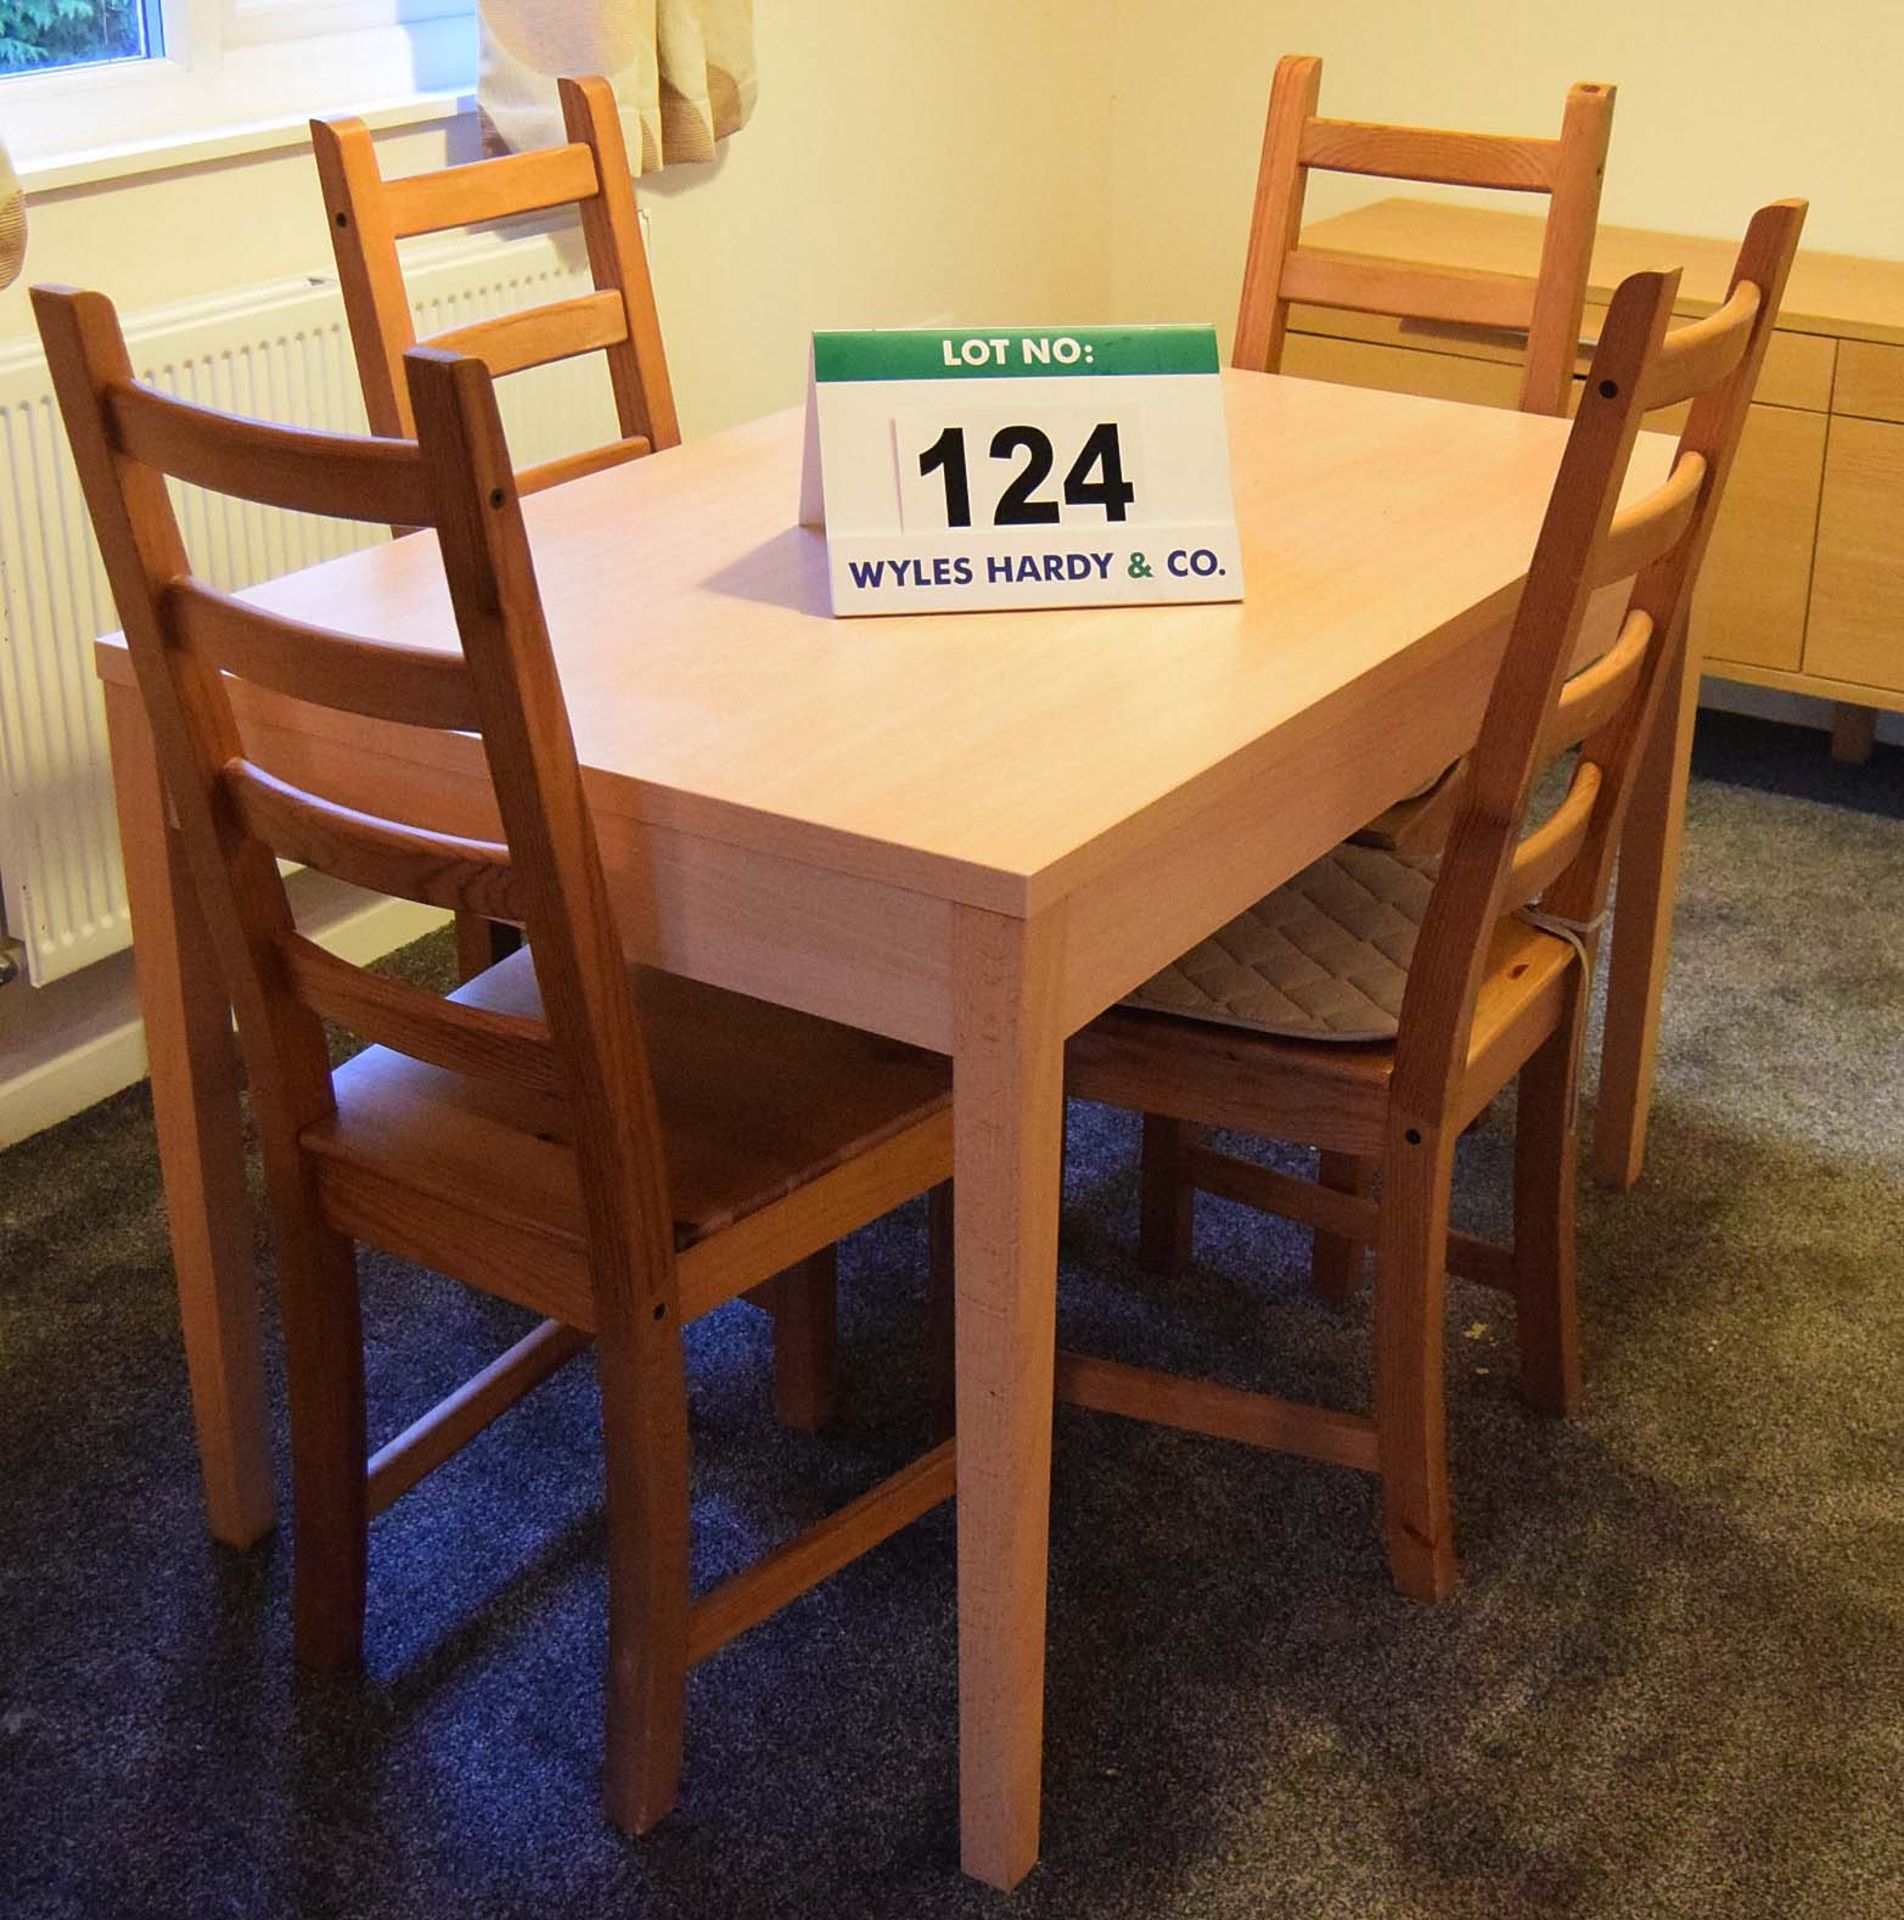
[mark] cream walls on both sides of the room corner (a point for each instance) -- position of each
(1085, 158)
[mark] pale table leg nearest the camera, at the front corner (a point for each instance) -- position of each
(1009, 1157)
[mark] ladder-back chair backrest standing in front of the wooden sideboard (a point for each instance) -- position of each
(1544, 308)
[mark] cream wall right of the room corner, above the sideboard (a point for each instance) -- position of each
(1723, 107)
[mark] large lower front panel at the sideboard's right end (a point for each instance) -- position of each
(1857, 625)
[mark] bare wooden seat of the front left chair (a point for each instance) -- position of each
(755, 1103)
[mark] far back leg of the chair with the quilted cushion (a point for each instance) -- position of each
(1548, 1322)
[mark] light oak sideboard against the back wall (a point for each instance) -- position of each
(1805, 583)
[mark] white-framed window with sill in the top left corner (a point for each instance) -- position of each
(87, 78)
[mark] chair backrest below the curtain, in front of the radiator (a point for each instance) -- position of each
(369, 216)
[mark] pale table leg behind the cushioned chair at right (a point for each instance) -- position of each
(1642, 932)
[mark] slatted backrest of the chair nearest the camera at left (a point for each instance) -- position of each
(581, 1072)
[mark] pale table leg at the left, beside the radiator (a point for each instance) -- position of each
(195, 1101)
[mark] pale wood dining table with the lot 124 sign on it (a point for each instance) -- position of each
(972, 832)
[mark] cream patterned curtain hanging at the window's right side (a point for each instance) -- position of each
(682, 70)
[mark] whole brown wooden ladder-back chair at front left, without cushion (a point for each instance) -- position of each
(609, 1147)
